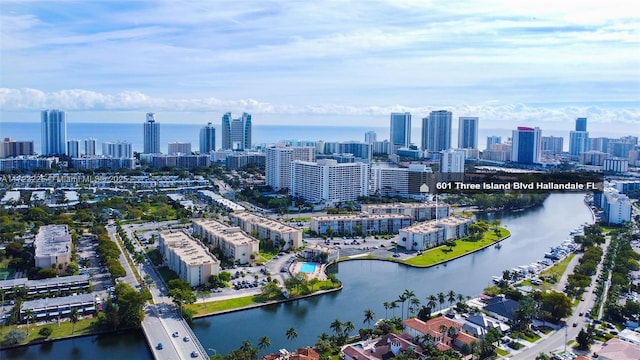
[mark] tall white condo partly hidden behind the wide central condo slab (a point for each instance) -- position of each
(278, 164)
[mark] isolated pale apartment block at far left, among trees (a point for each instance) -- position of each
(52, 245)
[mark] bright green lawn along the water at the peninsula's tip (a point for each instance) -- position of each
(463, 247)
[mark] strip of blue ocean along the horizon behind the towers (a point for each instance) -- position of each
(261, 134)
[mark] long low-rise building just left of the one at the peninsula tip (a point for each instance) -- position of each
(362, 224)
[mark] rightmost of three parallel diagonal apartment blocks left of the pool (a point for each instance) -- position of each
(282, 236)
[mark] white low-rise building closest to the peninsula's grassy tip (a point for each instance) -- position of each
(428, 234)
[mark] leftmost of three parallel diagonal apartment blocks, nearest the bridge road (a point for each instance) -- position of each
(185, 255)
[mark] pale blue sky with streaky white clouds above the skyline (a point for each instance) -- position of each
(341, 62)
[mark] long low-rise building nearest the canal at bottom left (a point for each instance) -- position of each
(57, 307)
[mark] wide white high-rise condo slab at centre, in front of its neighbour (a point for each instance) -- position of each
(327, 181)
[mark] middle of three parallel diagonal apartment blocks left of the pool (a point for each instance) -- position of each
(231, 241)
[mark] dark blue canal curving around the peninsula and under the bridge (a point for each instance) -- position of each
(367, 285)
